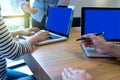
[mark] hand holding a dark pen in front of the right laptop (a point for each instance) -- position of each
(97, 42)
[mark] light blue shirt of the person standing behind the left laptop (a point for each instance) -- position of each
(41, 8)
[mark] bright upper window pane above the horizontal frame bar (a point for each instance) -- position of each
(10, 8)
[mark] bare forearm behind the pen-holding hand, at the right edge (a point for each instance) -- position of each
(113, 50)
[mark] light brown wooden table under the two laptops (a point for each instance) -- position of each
(48, 61)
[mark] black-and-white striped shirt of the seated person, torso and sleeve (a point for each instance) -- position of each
(9, 48)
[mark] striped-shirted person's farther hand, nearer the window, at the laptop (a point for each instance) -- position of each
(30, 31)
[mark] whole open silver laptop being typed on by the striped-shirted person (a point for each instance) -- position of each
(59, 22)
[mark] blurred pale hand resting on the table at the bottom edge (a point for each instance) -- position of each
(75, 74)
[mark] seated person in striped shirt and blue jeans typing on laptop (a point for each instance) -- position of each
(11, 49)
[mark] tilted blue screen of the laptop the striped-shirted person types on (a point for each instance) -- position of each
(59, 20)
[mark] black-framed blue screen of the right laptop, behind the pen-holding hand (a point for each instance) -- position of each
(105, 20)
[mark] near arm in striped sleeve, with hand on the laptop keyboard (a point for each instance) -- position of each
(13, 49)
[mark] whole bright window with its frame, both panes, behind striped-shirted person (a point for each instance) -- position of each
(14, 17)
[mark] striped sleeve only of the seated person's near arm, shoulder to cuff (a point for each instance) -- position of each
(8, 46)
